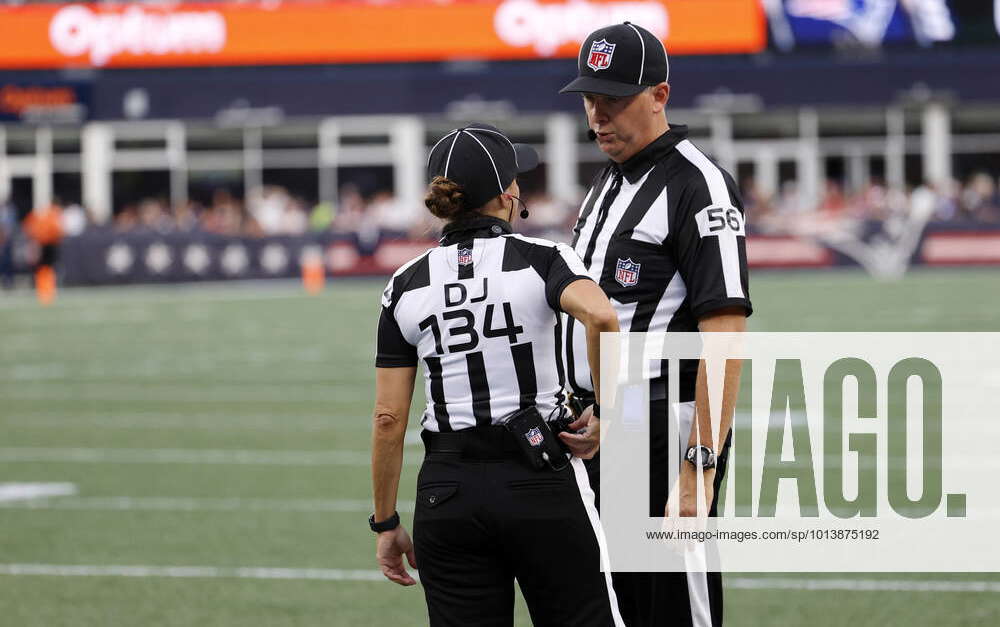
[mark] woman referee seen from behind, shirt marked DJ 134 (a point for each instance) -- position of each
(499, 497)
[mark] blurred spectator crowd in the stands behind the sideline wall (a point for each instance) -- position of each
(274, 210)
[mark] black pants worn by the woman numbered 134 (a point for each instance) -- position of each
(482, 523)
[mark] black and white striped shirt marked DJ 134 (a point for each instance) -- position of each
(481, 312)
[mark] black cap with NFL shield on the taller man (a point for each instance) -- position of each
(620, 60)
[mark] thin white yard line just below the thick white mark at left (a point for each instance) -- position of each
(195, 504)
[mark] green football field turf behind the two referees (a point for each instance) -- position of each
(206, 453)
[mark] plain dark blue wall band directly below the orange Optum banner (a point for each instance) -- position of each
(532, 86)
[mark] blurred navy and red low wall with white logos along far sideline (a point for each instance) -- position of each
(101, 257)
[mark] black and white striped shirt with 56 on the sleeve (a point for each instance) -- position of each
(664, 236)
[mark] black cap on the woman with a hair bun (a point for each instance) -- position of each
(481, 159)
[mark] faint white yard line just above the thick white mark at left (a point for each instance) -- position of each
(189, 456)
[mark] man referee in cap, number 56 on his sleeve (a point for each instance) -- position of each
(662, 231)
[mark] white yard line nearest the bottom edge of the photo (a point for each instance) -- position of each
(336, 574)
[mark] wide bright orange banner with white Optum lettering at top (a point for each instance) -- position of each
(142, 35)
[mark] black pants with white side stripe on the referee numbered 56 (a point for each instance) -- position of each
(675, 599)
